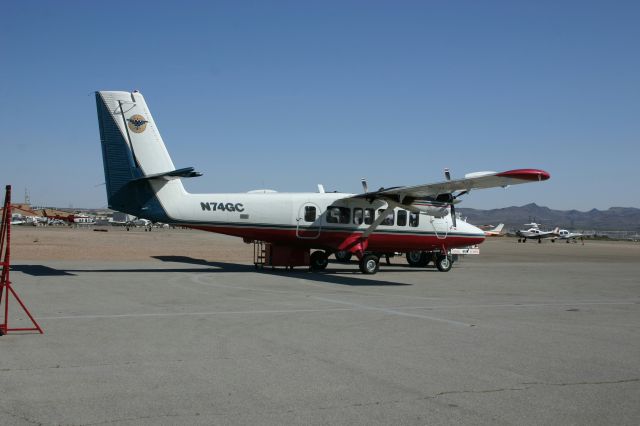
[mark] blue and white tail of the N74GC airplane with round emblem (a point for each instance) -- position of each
(137, 165)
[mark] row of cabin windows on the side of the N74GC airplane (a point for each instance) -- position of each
(360, 216)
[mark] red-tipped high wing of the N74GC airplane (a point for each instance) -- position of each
(478, 180)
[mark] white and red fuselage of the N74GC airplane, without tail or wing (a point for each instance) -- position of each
(329, 221)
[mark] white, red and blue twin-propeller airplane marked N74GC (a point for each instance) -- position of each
(141, 180)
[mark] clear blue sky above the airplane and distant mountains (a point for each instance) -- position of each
(287, 95)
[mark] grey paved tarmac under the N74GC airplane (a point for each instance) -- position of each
(500, 339)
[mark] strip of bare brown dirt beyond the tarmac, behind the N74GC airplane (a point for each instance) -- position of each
(118, 244)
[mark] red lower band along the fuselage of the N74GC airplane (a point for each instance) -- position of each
(332, 240)
